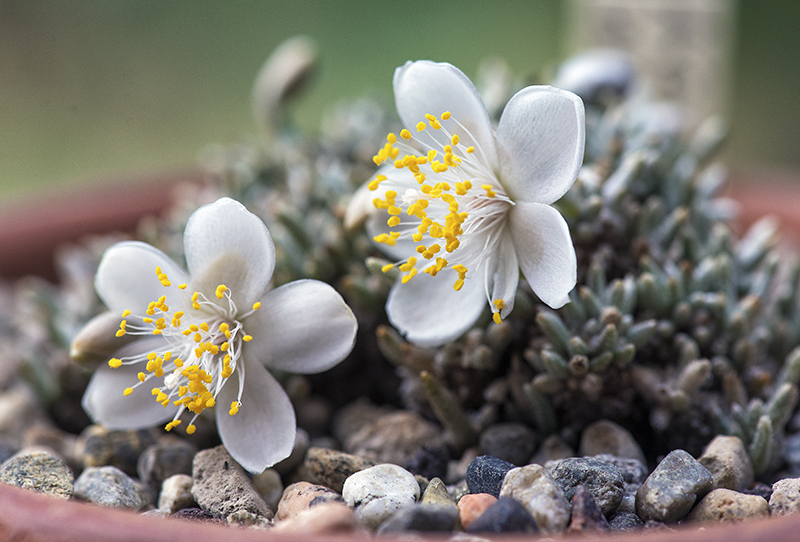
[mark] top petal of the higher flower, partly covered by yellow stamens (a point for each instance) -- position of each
(426, 87)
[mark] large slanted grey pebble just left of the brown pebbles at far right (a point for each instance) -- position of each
(672, 488)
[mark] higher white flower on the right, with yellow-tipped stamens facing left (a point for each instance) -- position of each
(471, 202)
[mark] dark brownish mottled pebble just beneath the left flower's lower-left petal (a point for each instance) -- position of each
(98, 446)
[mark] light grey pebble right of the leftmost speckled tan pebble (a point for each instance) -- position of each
(109, 486)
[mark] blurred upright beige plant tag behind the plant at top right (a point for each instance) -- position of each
(680, 48)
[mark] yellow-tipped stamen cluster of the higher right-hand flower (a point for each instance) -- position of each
(459, 207)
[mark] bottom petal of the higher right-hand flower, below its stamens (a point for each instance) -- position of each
(429, 312)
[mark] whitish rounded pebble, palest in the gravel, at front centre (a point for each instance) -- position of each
(378, 492)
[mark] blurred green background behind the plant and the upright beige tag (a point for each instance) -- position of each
(96, 89)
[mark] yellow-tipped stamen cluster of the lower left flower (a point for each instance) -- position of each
(203, 350)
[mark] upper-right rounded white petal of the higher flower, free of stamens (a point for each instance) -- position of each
(540, 141)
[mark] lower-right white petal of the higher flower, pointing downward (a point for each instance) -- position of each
(544, 248)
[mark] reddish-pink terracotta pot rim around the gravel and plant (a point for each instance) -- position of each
(28, 237)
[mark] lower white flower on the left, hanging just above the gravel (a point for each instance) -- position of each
(202, 338)
